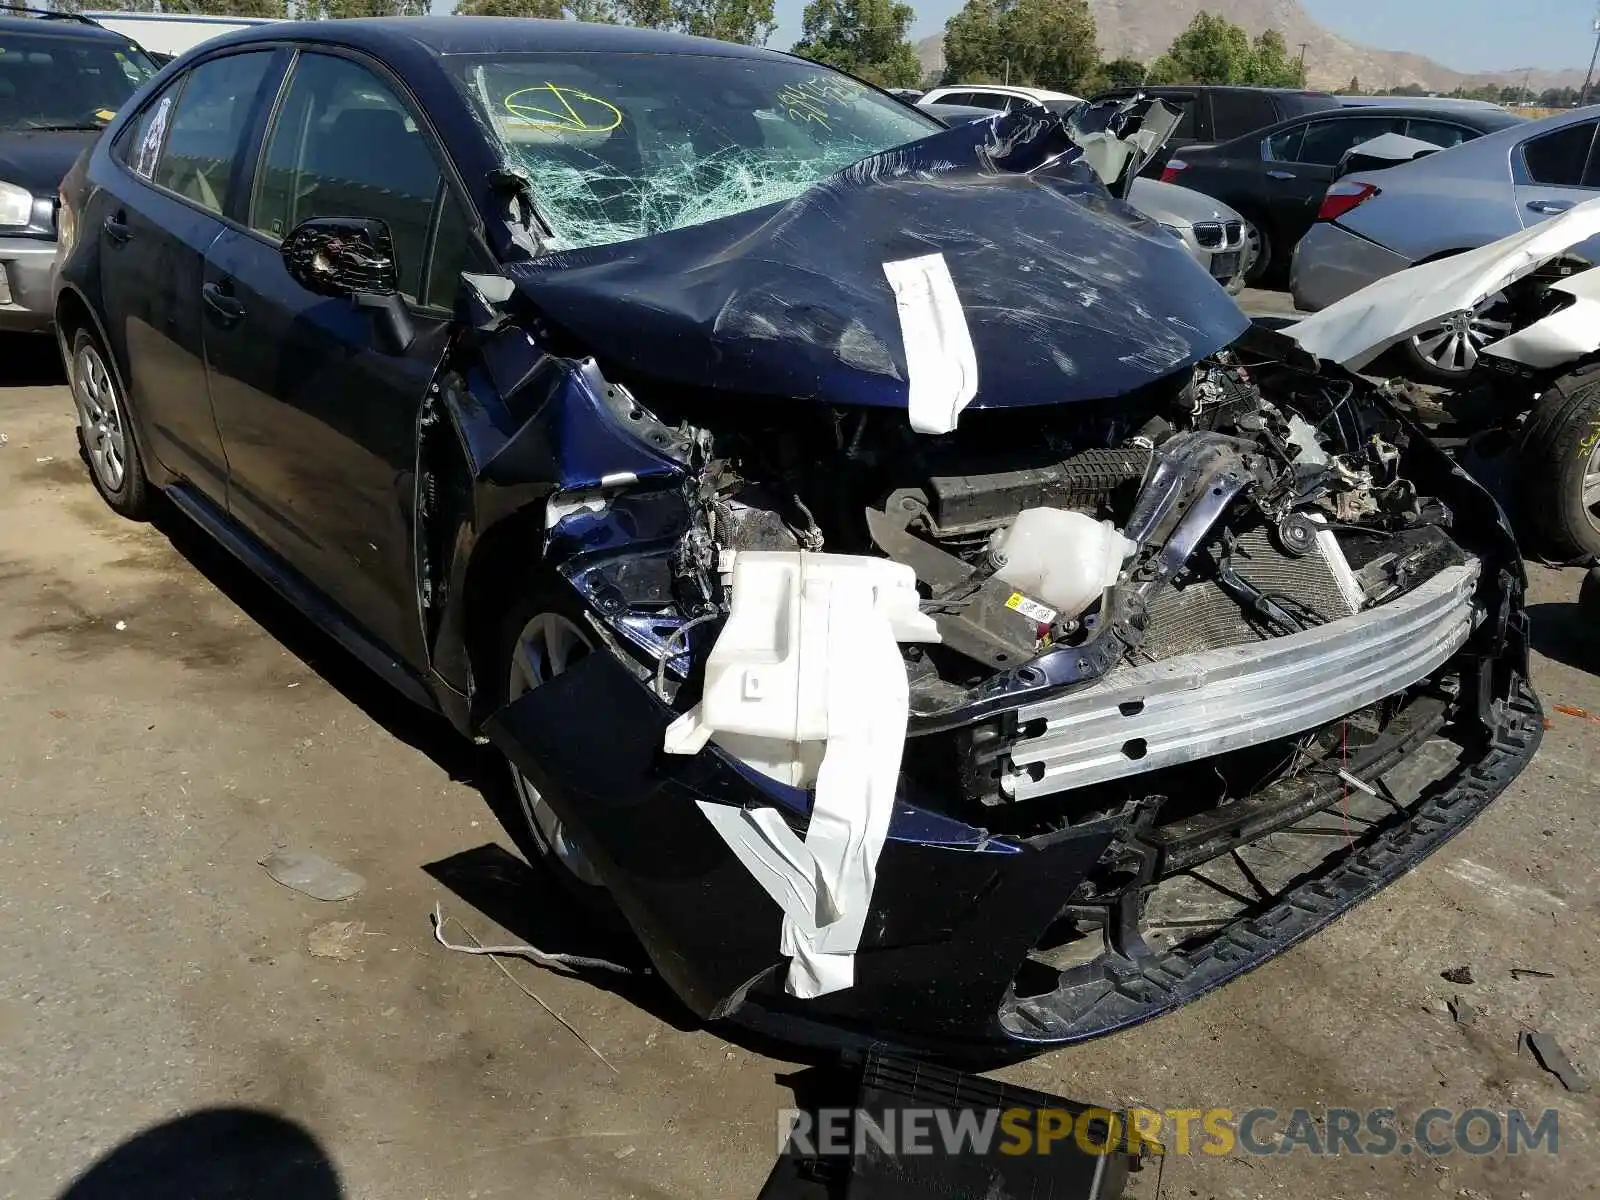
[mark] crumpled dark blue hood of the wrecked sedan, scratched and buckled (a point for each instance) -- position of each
(1066, 294)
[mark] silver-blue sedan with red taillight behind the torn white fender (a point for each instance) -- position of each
(1377, 223)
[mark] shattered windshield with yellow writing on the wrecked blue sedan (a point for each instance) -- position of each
(625, 146)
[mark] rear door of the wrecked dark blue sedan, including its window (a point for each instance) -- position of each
(161, 207)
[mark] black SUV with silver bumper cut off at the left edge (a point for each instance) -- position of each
(62, 79)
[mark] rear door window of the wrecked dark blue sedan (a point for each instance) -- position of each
(207, 129)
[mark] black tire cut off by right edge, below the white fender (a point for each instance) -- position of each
(1559, 468)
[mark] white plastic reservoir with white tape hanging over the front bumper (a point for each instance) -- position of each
(807, 686)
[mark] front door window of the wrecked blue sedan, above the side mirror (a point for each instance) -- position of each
(345, 145)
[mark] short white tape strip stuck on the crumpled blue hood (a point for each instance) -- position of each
(942, 366)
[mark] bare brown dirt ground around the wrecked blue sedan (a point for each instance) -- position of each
(166, 724)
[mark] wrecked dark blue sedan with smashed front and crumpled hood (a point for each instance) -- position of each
(902, 583)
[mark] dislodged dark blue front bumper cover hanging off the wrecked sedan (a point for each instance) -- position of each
(950, 959)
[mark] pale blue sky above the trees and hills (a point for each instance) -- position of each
(1463, 34)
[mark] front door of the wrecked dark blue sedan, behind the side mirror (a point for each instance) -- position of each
(318, 420)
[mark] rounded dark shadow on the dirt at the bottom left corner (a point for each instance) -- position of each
(214, 1154)
